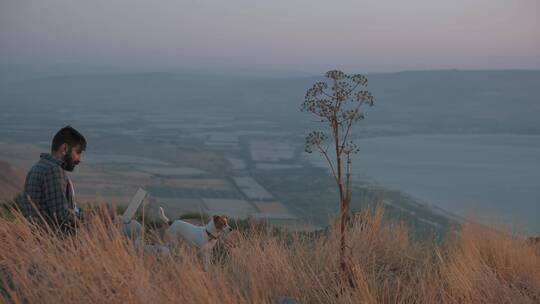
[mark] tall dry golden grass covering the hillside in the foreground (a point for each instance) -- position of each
(99, 265)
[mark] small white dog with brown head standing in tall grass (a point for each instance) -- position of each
(204, 237)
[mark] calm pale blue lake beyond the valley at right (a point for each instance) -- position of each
(491, 177)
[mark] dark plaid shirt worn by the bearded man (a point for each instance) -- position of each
(50, 189)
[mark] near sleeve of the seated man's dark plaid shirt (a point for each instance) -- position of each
(56, 202)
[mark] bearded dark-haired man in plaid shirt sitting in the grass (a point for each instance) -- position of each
(47, 189)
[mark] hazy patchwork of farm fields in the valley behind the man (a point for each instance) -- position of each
(206, 164)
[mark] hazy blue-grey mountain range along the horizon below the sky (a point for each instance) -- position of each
(421, 101)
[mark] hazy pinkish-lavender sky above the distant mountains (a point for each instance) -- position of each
(308, 35)
